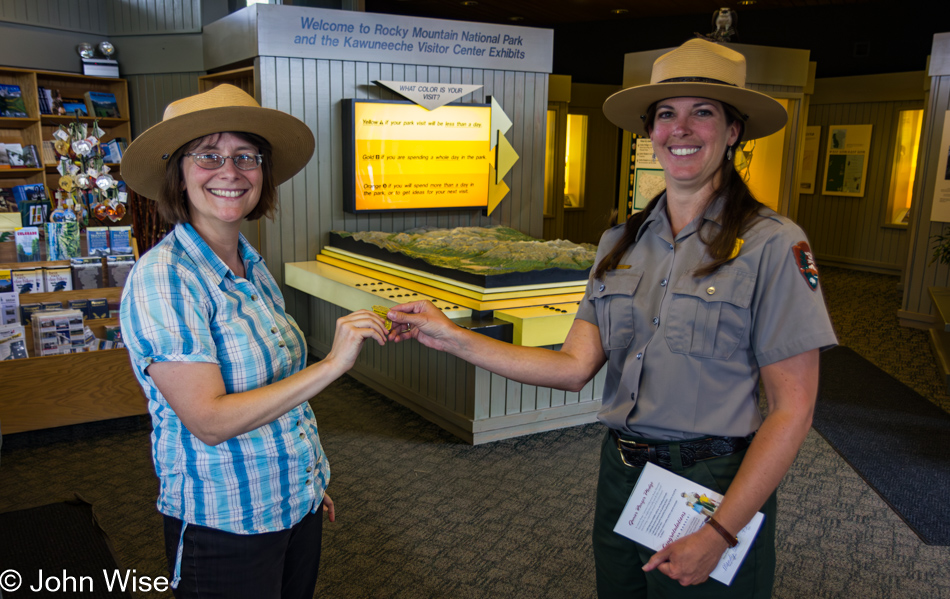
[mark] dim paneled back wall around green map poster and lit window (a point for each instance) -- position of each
(853, 232)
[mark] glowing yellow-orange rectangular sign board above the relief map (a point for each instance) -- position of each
(400, 156)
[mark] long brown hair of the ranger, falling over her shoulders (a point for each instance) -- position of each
(739, 209)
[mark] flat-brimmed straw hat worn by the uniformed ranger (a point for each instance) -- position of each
(699, 69)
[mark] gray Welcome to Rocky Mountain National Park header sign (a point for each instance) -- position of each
(351, 35)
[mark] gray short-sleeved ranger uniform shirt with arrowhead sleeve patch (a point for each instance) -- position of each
(683, 352)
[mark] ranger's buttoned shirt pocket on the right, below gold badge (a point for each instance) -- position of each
(709, 317)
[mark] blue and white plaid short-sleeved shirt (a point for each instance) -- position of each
(181, 303)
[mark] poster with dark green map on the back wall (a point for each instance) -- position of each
(846, 160)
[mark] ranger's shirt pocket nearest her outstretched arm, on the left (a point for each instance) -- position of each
(613, 304)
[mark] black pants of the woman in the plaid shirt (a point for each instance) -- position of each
(218, 564)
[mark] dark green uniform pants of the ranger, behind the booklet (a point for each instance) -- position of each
(619, 560)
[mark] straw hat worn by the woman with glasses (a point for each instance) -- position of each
(224, 108)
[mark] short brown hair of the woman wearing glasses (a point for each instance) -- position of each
(173, 203)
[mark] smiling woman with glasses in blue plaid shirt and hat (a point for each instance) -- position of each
(242, 473)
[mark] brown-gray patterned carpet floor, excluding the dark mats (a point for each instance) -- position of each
(423, 515)
